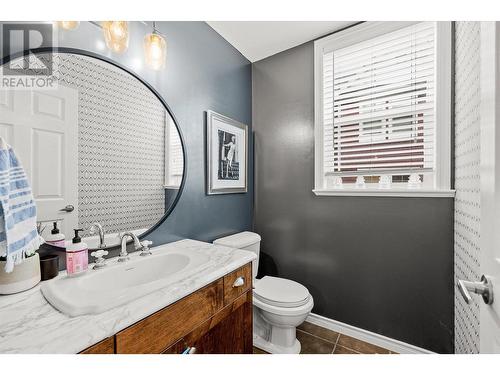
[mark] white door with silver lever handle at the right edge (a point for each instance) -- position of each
(490, 183)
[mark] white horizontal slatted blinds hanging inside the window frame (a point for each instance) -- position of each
(378, 105)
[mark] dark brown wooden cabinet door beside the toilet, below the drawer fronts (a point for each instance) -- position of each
(227, 332)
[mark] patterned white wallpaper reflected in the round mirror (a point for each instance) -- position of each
(121, 152)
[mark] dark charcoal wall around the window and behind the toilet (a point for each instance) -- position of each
(382, 264)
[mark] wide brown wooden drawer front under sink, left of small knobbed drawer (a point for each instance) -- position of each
(160, 330)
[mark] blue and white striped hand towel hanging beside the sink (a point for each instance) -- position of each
(18, 233)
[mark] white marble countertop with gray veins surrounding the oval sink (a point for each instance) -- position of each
(29, 324)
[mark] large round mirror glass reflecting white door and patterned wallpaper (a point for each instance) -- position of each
(99, 145)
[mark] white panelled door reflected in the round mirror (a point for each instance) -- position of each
(42, 128)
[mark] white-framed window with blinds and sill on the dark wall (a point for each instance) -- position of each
(383, 110)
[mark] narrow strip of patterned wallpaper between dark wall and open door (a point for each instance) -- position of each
(467, 180)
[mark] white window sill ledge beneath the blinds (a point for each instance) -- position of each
(420, 193)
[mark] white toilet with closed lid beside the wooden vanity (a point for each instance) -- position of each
(279, 305)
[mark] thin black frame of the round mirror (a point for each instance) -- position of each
(4, 60)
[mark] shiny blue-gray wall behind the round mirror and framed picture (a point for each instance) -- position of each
(203, 72)
